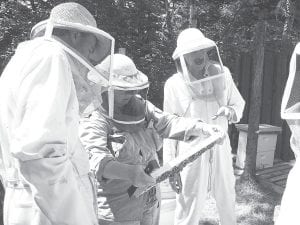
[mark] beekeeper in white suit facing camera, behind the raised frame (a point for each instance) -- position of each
(202, 88)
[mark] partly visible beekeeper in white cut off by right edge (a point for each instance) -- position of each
(290, 111)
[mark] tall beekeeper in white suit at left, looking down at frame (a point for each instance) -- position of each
(46, 168)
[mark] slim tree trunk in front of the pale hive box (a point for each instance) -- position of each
(255, 102)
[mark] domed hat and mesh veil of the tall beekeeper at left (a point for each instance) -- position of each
(74, 17)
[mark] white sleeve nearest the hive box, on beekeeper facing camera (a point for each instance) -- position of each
(234, 98)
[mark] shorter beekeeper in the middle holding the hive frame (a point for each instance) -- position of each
(122, 137)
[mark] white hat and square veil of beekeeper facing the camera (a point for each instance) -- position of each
(197, 59)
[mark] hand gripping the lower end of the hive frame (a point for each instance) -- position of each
(139, 178)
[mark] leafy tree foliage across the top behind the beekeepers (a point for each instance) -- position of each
(148, 28)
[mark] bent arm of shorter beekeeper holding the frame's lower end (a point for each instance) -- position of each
(94, 131)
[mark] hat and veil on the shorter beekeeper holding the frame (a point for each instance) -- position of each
(124, 100)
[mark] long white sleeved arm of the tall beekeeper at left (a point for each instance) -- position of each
(40, 140)
